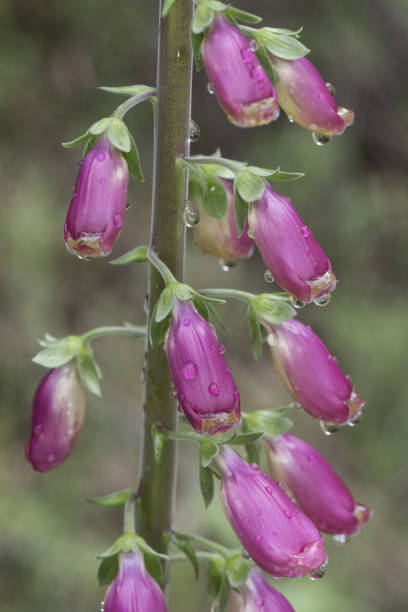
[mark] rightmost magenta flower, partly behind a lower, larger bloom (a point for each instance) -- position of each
(315, 485)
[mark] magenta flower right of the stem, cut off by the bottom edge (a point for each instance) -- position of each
(256, 595)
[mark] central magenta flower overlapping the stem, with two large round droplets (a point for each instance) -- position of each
(202, 379)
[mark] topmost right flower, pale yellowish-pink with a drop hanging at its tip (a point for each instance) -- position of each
(306, 99)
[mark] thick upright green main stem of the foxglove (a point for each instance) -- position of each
(158, 480)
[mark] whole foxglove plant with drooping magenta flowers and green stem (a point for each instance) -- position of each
(184, 360)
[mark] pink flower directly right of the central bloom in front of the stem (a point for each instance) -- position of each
(311, 374)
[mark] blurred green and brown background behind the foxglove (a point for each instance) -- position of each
(52, 57)
